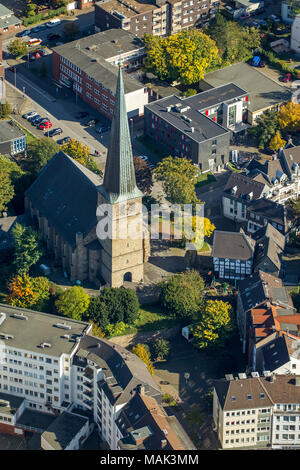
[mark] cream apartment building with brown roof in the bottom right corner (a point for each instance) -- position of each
(257, 411)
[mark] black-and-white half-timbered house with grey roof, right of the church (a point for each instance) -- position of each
(232, 254)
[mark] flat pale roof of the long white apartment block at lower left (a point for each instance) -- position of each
(37, 328)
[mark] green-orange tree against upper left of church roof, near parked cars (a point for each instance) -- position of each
(40, 151)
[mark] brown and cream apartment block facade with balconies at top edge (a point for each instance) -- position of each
(159, 18)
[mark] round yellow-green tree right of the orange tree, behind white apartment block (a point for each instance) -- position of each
(73, 303)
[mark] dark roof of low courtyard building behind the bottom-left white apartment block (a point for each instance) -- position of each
(65, 427)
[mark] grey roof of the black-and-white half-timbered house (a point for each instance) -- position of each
(232, 245)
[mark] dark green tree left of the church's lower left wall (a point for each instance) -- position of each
(27, 248)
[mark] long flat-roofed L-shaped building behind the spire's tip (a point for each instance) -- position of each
(89, 67)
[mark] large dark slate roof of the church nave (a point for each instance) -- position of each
(65, 193)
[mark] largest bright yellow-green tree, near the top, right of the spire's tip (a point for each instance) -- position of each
(184, 56)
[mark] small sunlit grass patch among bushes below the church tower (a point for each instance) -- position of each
(151, 318)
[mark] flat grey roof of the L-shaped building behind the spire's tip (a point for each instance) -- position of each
(90, 55)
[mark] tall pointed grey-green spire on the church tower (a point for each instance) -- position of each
(119, 179)
